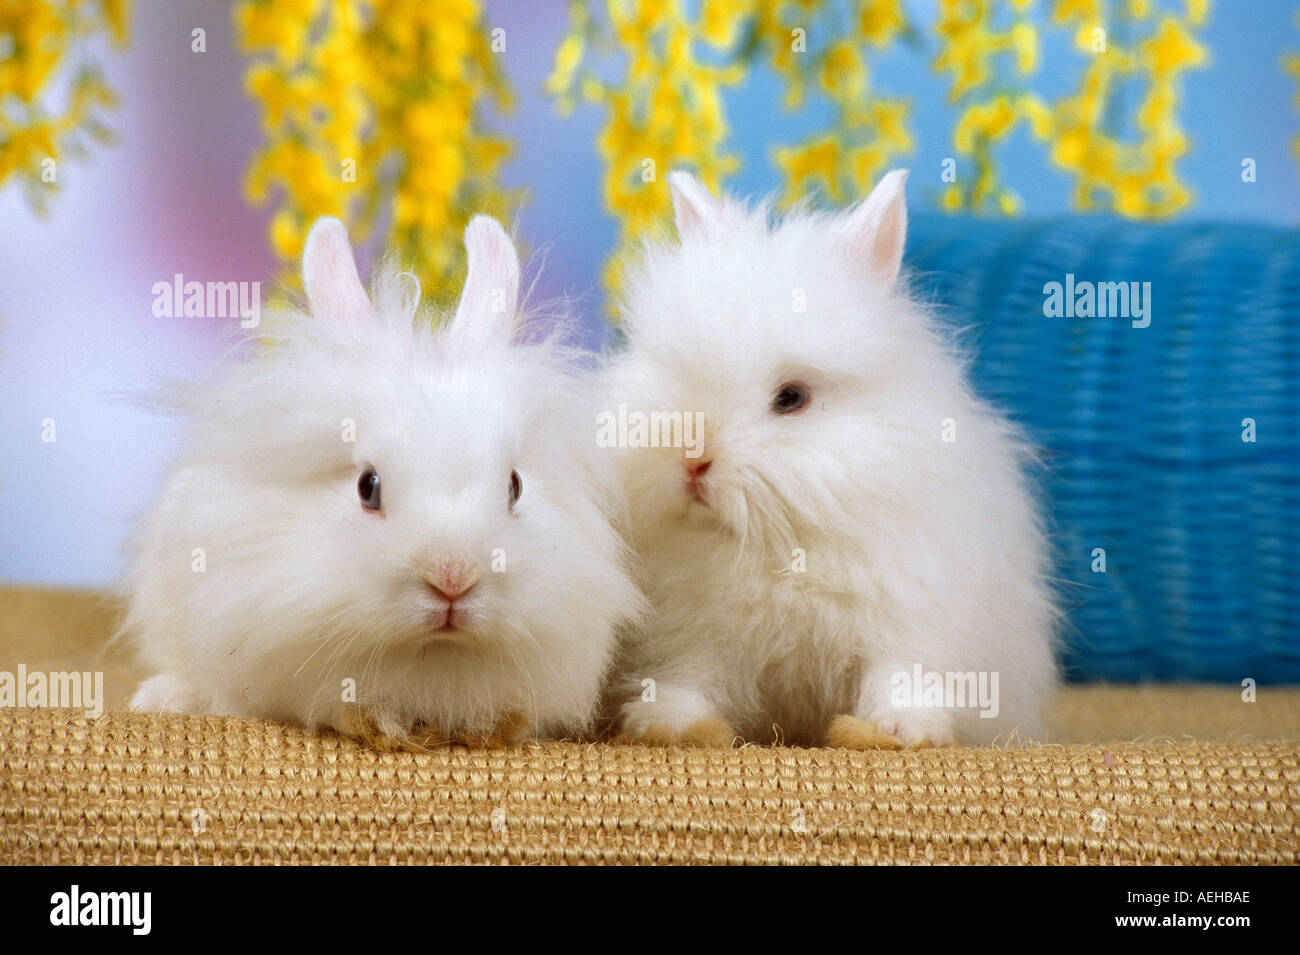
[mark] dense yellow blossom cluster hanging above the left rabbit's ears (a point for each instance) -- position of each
(371, 110)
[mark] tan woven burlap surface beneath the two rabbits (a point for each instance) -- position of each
(1211, 779)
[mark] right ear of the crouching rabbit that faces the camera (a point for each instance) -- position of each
(487, 314)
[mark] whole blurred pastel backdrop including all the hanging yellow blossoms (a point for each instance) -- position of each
(202, 138)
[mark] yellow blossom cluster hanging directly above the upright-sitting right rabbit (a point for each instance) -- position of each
(668, 110)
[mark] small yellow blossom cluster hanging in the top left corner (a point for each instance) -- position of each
(40, 41)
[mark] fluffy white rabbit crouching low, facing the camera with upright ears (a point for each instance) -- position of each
(387, 529)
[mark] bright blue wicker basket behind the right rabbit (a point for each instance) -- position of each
(1143, 429)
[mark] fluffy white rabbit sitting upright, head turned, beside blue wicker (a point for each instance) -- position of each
(853, 516)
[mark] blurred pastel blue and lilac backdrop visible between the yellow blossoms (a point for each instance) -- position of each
(79, 336)
